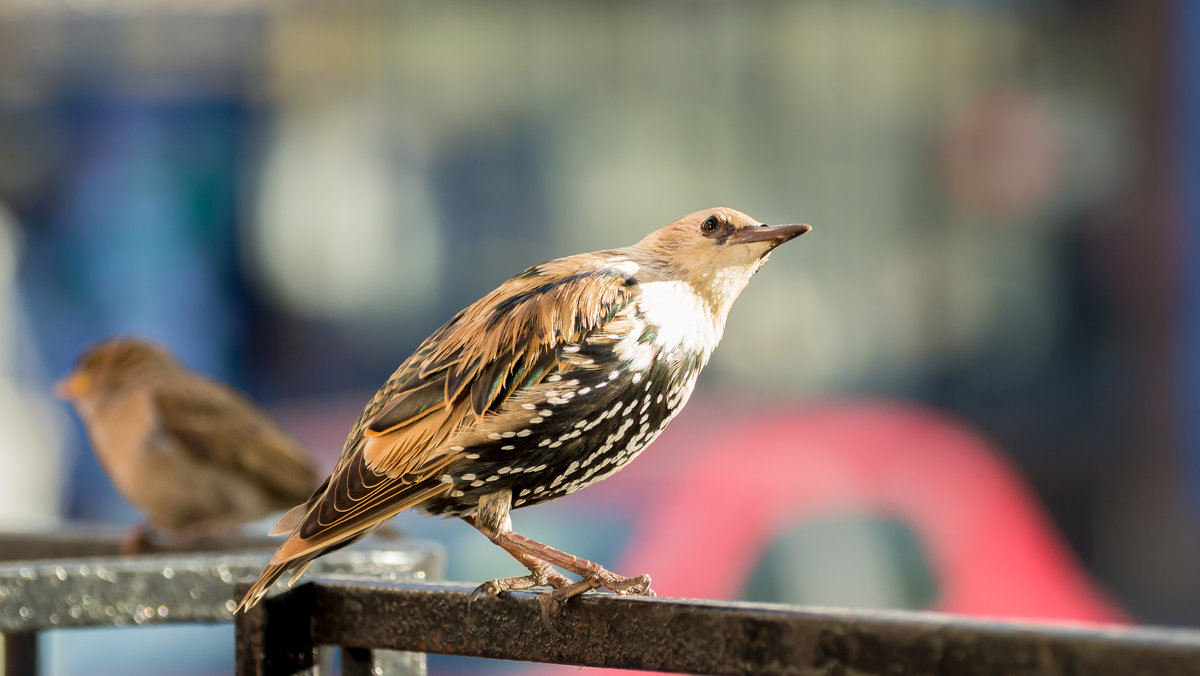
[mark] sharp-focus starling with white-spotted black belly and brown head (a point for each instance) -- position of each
(548, 385)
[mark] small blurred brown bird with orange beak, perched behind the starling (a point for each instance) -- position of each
(191, 454)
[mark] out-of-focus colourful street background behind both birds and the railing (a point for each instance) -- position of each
(975, 387)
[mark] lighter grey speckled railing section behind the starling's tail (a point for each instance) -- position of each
(61, 582)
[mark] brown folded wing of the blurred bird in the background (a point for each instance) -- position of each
(221, 428)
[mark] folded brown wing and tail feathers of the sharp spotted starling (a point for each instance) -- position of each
(398, 451)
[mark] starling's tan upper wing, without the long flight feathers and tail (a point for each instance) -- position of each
(503, 344)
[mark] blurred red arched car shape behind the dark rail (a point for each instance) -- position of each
(993, 549)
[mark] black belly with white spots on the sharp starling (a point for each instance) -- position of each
(591, 422)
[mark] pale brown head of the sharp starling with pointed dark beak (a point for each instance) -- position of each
(716, 250)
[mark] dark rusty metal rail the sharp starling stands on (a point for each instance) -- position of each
(700, 637)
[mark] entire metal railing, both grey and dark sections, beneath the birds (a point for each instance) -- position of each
(375, 607)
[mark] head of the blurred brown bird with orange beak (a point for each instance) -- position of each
(110, 367)
